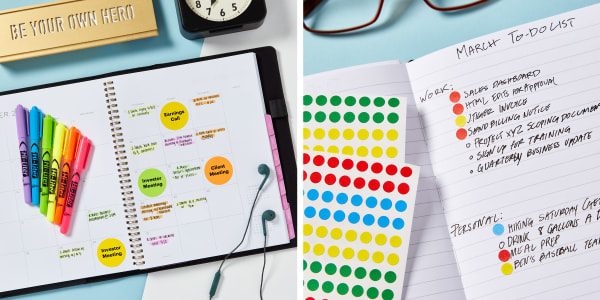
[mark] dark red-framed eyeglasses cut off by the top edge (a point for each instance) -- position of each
(339, 16)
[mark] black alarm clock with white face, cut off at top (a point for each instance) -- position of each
(204, 18)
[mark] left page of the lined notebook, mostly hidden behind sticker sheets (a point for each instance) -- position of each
(431, 271)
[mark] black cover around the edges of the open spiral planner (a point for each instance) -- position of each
(274, 99)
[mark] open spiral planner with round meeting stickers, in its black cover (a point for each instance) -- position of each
(171, 178)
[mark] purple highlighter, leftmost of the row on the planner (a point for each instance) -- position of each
(23, 133)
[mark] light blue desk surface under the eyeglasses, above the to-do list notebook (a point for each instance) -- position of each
(408, 29)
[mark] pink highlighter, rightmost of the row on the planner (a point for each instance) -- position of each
(81, 158)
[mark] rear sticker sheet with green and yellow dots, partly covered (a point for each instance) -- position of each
(362, 126)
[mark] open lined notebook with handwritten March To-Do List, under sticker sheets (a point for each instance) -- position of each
(504, 128)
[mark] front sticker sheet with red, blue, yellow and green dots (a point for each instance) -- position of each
(357, 222)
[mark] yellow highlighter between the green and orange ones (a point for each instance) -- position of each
(59, 138)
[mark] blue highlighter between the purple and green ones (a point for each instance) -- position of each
(35, 135)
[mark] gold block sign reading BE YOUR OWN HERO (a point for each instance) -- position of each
(69, 25)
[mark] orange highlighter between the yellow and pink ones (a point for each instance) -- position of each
(69, 149)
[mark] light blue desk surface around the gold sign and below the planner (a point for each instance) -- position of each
(168, 46)
